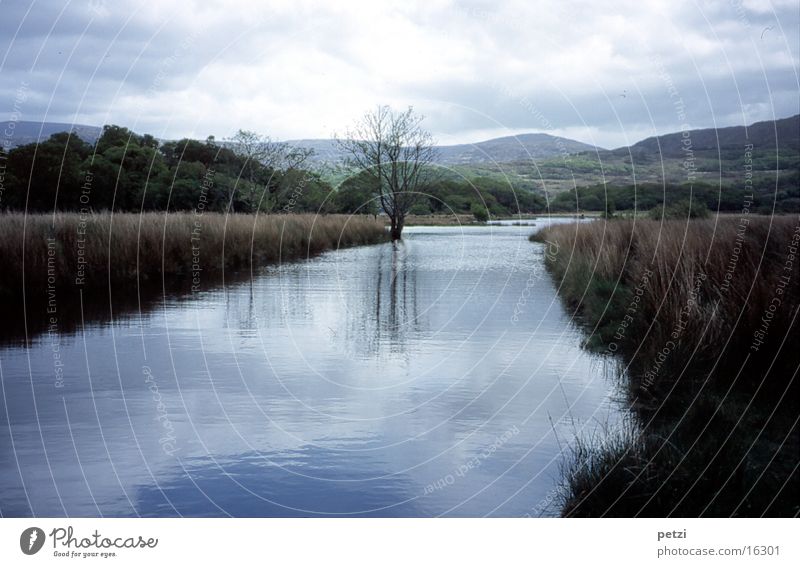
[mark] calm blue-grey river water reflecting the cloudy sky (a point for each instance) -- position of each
(383, 380)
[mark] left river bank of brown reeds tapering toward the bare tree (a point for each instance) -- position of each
(101, 250)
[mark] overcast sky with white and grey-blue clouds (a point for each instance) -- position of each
(476, 69)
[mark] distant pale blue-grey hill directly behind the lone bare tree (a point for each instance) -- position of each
(498, 150)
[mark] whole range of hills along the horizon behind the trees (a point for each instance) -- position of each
(542, 162)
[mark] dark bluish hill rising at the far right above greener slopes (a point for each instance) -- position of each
(762, 135)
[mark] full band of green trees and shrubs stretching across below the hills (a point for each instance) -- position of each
(125, 171)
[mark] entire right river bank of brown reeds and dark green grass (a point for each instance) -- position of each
(704, 316)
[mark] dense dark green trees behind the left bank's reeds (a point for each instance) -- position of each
(125, 171)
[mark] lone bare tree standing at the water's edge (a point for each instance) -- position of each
(398, 153)
